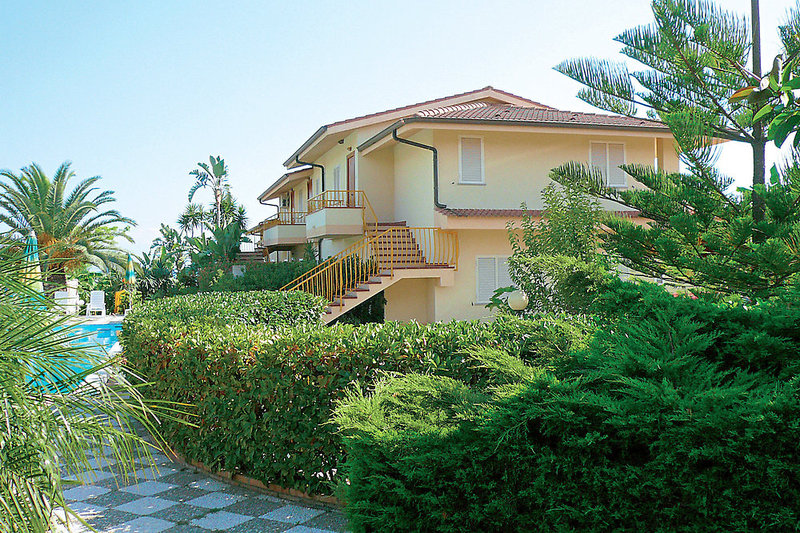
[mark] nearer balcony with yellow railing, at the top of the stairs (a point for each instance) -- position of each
(338, 213)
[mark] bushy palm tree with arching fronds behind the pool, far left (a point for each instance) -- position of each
(70, 226)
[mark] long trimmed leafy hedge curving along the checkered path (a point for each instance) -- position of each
(264, 399)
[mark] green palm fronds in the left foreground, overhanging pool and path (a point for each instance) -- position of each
(51, 420)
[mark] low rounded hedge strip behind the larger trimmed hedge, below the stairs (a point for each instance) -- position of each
(252, 307)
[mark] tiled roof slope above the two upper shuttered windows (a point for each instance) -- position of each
(509, 113)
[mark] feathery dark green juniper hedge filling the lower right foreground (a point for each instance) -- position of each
(660, 425)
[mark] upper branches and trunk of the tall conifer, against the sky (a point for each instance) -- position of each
(695, 56)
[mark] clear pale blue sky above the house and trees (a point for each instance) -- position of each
(138, 92)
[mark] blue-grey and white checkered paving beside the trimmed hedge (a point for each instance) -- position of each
(174, 498)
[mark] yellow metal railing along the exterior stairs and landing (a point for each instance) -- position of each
(396, 248)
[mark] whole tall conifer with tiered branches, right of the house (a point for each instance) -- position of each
(700, 232)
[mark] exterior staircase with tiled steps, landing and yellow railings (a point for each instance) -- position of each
(388, 252)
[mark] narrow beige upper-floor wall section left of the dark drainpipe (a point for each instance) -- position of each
(413, 185)
